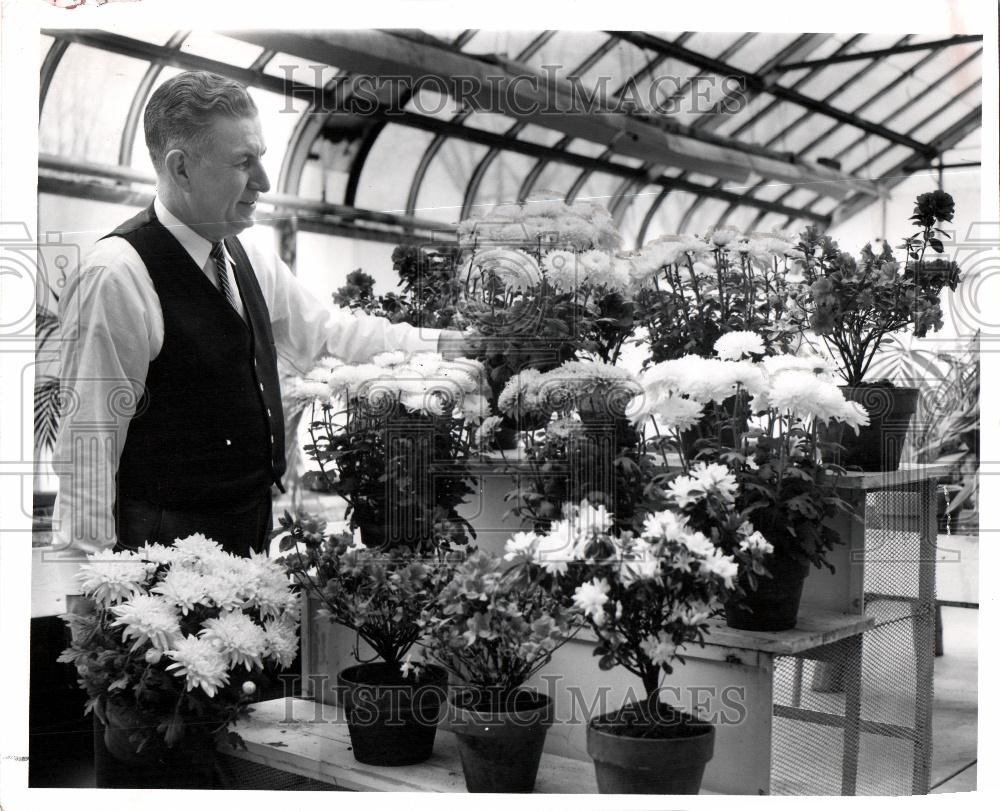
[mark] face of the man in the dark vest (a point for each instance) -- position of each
(227, 177)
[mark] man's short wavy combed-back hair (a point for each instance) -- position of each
(182, 109)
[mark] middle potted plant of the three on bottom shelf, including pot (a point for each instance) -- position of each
(493, 626)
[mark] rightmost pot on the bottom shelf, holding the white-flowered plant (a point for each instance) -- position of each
(665, 754)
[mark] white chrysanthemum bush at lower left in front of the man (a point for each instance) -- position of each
(179, 638)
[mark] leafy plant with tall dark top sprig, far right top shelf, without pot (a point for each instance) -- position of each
(855, 305)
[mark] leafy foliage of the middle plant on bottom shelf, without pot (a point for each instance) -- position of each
(492, 626)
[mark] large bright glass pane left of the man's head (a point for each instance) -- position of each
(79, 123)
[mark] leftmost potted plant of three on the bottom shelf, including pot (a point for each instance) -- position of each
(392, 707)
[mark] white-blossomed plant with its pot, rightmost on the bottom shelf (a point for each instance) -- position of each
(645, 596)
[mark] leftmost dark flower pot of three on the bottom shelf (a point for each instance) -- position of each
(392, 721)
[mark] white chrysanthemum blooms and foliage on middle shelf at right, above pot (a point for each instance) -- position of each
(763, 455)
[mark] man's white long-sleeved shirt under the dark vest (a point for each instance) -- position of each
(112, 328)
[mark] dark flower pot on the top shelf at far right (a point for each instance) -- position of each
(878, 446)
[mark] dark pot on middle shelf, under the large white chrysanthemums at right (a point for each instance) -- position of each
(774, 605)
